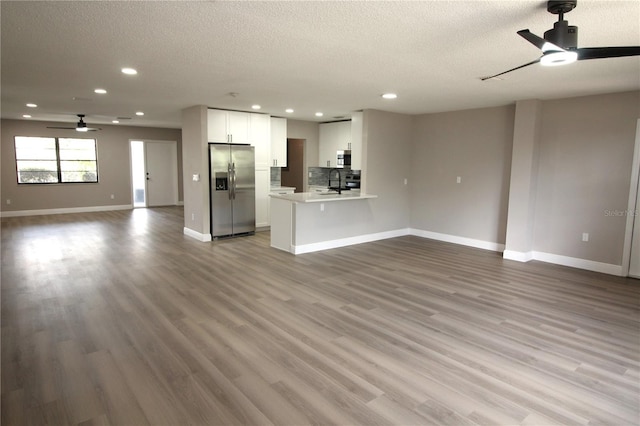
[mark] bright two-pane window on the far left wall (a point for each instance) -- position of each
(56, 160)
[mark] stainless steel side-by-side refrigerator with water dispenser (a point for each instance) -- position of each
(233, 187)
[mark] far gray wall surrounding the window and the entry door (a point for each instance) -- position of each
(113, 168)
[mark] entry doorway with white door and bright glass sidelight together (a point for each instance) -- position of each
(154, 173)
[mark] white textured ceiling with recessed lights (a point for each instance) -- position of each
(334, 57)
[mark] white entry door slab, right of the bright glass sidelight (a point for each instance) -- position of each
(161, 160)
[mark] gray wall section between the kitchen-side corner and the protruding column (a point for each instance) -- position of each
(475, 145)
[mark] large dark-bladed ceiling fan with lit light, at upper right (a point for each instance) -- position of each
(560, 44)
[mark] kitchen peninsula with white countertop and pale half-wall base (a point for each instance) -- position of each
(309, 221)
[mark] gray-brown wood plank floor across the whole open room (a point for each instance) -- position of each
(118, 318)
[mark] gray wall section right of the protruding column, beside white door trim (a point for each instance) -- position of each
(585, 158)
